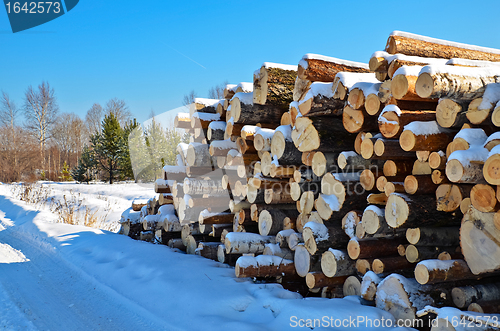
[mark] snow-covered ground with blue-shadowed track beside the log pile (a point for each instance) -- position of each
(56, 276)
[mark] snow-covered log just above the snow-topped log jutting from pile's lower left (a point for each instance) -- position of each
(244, 243)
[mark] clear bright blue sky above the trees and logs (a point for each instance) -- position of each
(151, 53)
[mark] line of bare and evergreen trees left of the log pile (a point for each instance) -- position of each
(52, 145)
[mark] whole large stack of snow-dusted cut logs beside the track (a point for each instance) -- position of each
(342, 178)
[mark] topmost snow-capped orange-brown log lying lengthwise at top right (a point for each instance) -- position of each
(415, 45)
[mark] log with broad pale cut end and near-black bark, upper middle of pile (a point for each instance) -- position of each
(316, 133)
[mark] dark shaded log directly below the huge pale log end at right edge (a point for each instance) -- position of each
(464, 296)
